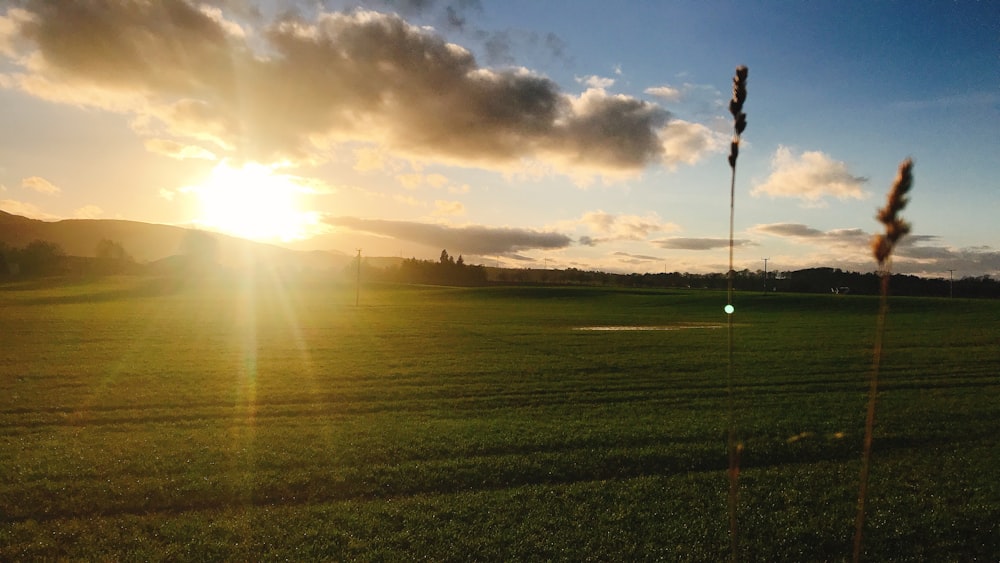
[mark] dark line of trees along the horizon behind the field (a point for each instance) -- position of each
(200, 252)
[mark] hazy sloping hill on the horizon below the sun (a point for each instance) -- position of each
(150, 242)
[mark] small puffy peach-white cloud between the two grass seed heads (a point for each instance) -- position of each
(810, 177)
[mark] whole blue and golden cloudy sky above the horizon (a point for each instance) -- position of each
(558, 134)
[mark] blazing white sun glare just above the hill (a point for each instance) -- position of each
(252, 202)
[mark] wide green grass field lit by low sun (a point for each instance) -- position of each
(256, 420)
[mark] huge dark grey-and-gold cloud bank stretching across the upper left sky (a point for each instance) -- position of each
(296, 87)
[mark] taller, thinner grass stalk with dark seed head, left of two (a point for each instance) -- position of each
(732, 445)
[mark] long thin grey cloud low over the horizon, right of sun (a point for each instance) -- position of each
(467, 240)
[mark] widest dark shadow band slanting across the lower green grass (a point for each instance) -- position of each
(495, 468)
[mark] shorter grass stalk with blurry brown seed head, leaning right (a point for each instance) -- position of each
(882, 246)
